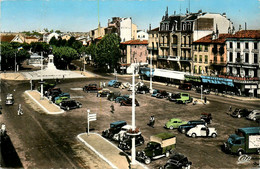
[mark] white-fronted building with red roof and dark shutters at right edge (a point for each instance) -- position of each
(243, 60)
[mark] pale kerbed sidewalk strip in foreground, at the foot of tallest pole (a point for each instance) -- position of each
(115, 157)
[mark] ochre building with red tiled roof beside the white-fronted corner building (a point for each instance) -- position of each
(209, 54)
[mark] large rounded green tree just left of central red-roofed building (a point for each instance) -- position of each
(108, 52)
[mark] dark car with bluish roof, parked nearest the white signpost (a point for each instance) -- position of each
(115, 127)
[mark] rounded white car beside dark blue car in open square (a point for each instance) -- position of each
(203, 131)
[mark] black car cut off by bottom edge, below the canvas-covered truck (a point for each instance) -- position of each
(177, 161)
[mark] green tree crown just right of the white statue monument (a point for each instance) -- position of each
(64, 56)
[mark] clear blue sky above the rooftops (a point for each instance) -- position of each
(83, 15)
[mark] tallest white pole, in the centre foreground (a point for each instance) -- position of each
(133, 162)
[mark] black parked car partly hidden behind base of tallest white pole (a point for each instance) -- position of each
(126, 144)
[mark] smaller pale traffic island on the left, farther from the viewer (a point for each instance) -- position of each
(45, 104)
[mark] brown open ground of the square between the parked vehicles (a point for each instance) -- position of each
(203, 152)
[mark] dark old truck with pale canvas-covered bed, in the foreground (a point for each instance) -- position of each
(160, 145)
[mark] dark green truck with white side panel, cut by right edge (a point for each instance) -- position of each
(245, 141)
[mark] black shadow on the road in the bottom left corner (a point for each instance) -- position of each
(9, 157)
